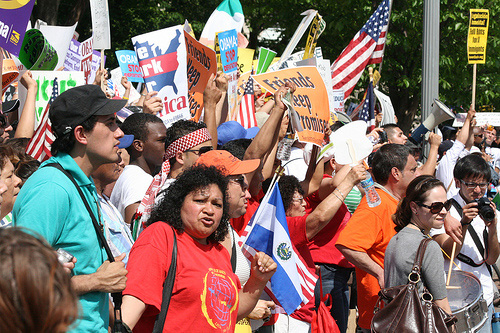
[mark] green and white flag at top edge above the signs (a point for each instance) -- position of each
(227, 16)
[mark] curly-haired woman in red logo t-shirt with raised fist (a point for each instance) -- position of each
(206, 296)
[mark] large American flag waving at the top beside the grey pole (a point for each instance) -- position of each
(366, 48)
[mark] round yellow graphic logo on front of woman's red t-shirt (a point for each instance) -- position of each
(219, 299)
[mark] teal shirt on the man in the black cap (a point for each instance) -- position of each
(49, 204)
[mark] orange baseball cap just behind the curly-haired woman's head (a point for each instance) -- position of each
(227, 163)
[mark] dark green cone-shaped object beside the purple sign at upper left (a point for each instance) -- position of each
(36, 52)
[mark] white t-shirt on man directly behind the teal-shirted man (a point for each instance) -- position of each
(130, 187)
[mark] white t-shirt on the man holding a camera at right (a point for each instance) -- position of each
(469, 249)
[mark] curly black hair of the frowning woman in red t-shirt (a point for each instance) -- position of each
(193, 179)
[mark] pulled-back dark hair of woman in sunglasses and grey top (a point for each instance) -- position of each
(416, 191)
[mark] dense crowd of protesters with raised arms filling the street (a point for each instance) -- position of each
(187, 192)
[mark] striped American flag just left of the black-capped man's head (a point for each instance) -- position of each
(39, 145)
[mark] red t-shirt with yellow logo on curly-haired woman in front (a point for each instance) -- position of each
(205, 293)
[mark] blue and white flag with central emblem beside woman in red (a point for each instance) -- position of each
(292, 286)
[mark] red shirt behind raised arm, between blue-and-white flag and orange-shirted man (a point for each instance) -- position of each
(322, 246)
